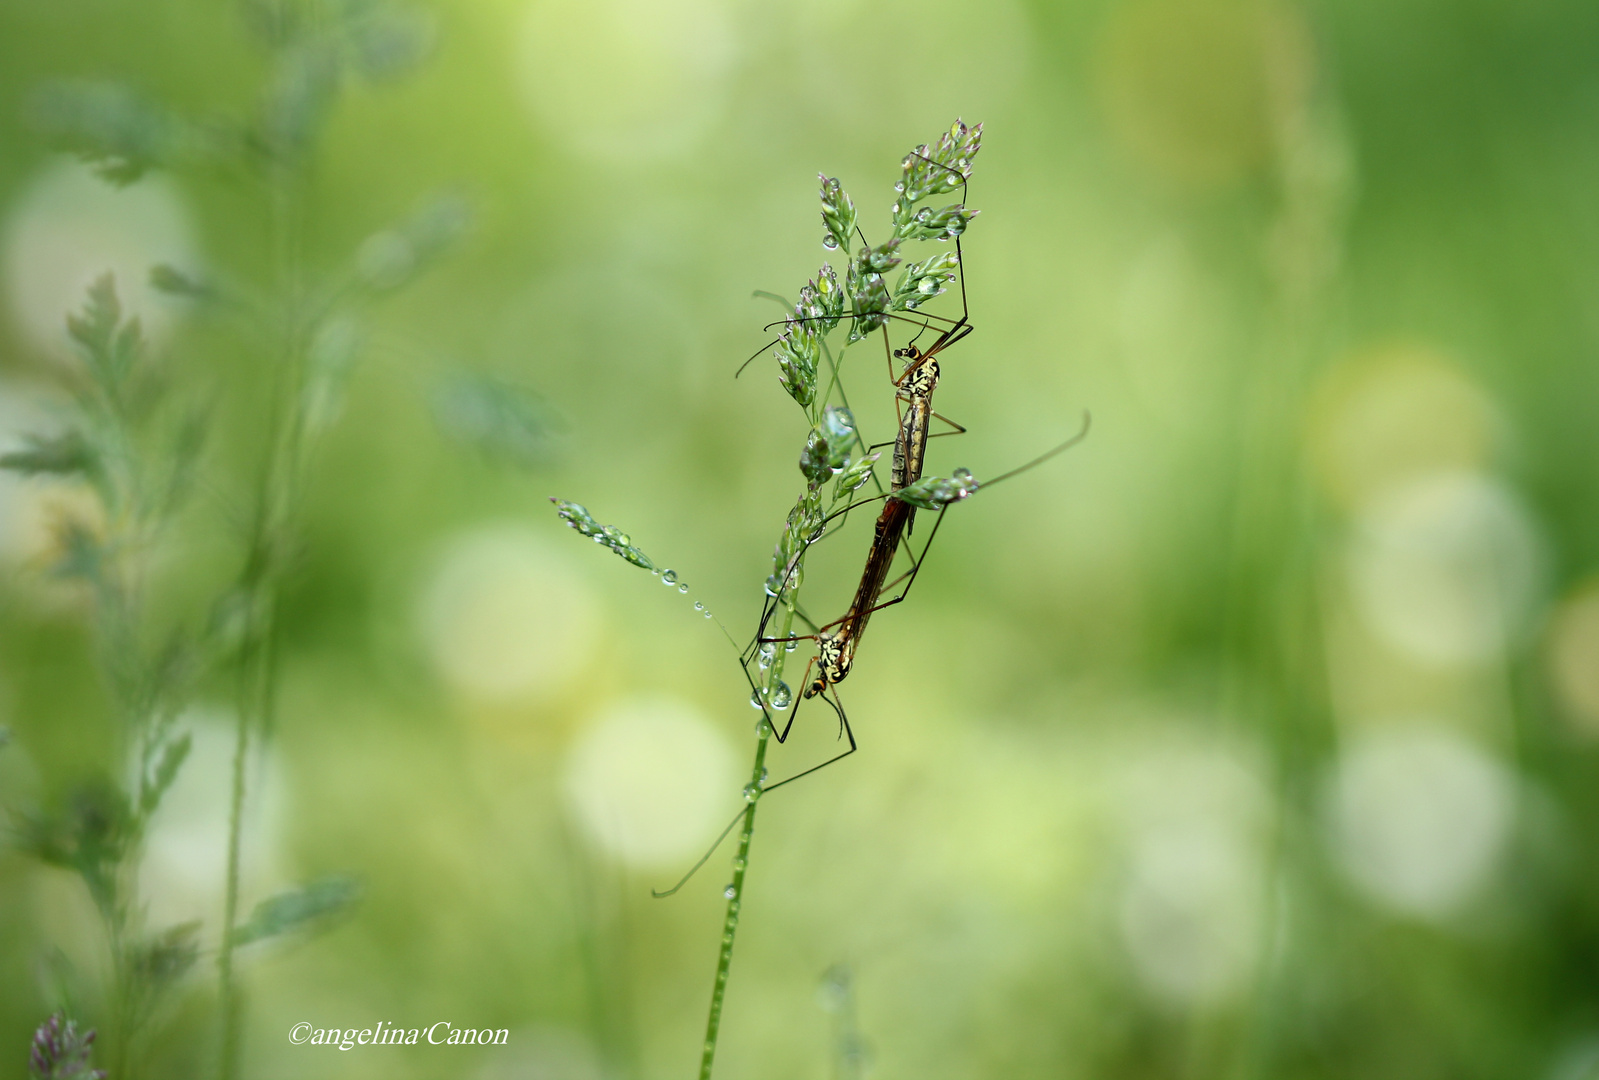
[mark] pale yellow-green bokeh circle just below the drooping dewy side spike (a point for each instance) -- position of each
(508, 617)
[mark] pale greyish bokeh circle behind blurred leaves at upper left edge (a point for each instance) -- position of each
(68, 228)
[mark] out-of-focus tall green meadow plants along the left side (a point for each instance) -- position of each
(137, 441)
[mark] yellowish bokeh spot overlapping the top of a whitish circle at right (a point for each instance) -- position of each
(1392, 415)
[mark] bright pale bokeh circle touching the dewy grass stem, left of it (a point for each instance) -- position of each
(650, 783)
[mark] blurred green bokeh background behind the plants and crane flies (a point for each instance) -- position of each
(1259, 737)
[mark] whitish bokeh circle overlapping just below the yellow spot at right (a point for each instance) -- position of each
(1446, 569)
